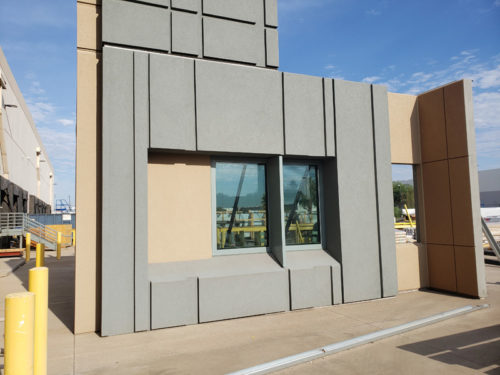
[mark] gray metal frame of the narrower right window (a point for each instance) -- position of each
(319, 170)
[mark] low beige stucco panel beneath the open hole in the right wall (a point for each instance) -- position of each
(412, 266)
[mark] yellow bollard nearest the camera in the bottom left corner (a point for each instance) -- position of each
(19, 333)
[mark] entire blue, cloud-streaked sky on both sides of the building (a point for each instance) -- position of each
(410, 46)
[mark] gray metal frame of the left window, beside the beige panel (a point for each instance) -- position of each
(213, 177)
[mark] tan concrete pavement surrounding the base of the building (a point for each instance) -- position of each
(466, 344)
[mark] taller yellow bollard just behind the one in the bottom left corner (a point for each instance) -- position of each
(39, 285)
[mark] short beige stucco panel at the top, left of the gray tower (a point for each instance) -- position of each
(88, 34)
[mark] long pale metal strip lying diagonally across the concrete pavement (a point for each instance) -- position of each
(310, 355)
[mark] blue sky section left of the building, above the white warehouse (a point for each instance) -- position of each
(39, 41)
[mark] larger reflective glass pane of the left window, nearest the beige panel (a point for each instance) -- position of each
(241, 205)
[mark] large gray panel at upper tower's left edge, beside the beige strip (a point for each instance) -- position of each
(136, 25)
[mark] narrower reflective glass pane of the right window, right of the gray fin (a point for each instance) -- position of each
(300, 184)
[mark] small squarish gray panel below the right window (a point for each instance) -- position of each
(310, 287)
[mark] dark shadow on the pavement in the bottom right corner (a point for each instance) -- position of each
(476, 349)
